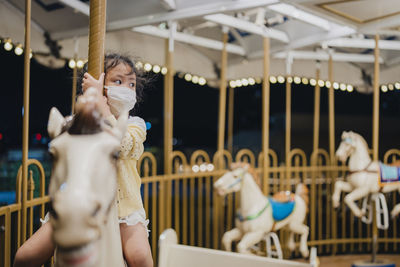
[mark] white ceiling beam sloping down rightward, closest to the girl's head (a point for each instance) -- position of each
(190, 39)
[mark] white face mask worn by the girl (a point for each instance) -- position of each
(120, 99)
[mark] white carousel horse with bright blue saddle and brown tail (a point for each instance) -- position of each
(259, 215)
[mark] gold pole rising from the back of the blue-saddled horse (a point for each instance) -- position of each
(265, 115)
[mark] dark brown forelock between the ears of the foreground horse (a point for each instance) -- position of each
(87, 120)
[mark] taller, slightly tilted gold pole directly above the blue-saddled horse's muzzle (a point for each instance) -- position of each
(222, 101)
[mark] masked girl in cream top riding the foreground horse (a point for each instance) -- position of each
(123, 86)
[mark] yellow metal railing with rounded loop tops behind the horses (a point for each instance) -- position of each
(185, 201)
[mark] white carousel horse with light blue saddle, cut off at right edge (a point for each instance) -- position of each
(365, 176)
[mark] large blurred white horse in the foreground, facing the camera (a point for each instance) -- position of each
(83, 186)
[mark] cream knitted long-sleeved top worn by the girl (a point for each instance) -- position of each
(129, 199)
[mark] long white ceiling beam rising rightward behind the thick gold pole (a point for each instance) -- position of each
(179, 14)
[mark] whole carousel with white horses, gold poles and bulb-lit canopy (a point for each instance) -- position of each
(335, 206)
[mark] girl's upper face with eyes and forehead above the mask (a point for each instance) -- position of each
(121, 75)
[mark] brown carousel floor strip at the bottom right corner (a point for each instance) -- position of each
(347, 260)
